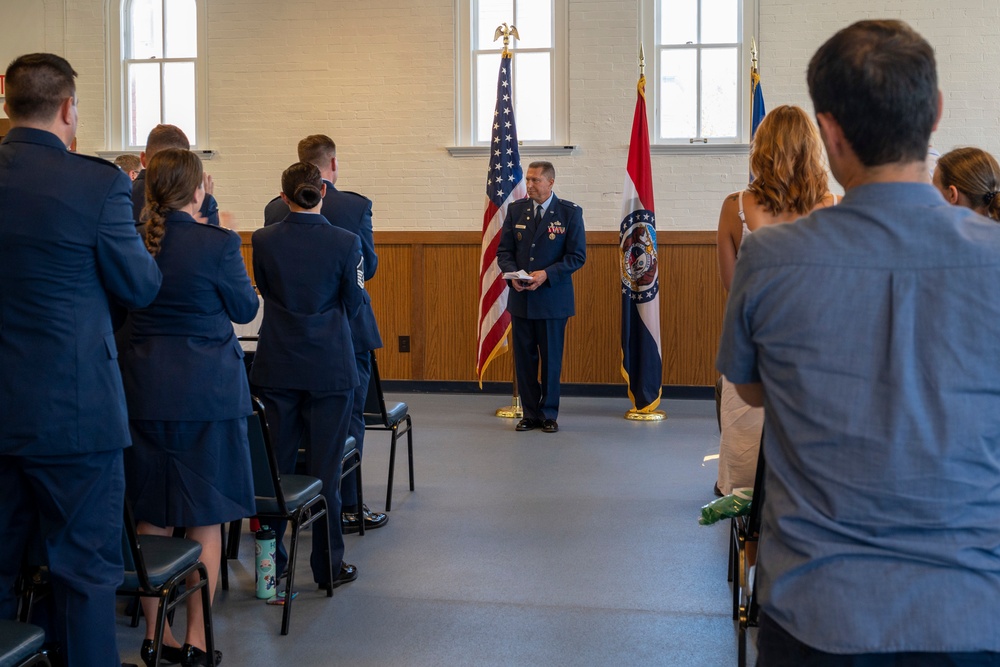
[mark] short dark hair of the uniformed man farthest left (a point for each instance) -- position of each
(36, 86)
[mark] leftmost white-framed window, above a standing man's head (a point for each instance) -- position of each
(160, 77)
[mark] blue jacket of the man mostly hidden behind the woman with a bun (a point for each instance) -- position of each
(352, 212)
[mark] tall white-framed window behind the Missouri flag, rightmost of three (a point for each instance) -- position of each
(702, 70)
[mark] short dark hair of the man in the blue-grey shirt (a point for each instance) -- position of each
(878, 79)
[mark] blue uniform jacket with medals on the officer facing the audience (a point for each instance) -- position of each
(558, 245)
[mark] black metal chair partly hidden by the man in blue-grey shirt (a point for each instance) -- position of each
(745, 530)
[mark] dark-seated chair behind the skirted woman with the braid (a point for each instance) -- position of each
(156, 566)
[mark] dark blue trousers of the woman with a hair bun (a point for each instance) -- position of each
(318, 421)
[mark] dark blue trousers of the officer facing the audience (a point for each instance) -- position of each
(538, 341)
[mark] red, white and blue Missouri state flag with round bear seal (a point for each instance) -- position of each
(642, 361)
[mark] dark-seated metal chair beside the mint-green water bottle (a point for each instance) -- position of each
(297, 499)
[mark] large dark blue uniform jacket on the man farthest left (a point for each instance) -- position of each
(67, 244)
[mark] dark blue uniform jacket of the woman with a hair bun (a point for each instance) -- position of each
(309, 273)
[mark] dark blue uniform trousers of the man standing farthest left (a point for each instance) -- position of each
(72, 505)
